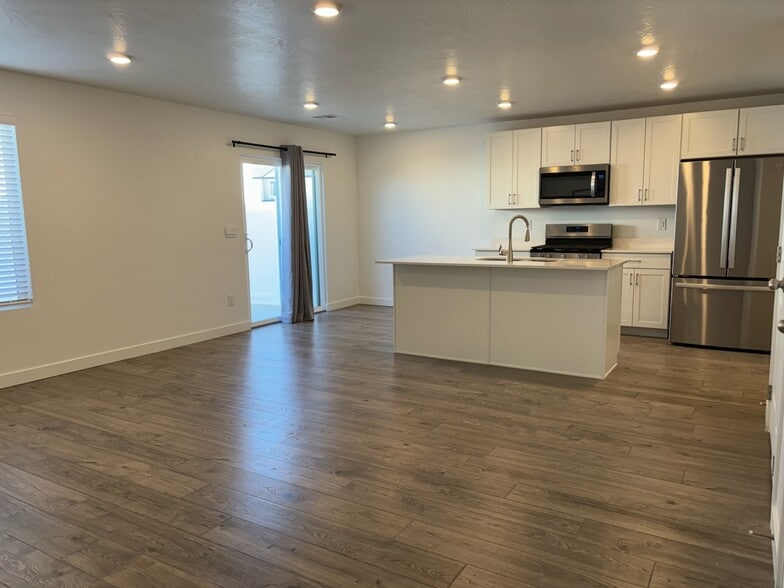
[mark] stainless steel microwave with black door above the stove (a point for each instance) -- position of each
(574, 184)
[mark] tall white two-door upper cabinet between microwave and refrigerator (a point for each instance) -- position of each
(644, 161)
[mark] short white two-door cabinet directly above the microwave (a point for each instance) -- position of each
(576, 144)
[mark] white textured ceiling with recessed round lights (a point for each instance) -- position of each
(387, 57)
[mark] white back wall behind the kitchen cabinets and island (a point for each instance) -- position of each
(425, 192)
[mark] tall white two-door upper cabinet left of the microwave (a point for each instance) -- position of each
(515, 157)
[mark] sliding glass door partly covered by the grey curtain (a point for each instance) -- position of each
(261, 194)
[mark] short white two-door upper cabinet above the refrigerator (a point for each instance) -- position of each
(726, 133)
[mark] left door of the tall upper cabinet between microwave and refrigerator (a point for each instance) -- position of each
(626, 162)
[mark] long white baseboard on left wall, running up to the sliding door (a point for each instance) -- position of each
(104, 357)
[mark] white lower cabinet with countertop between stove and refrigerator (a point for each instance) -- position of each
(645, 296)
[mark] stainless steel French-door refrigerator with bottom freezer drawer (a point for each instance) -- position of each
(726, 235)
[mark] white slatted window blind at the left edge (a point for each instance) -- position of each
(14, 263)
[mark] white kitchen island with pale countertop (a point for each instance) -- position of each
(559, 316)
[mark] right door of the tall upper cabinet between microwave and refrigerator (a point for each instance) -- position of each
(662, 159)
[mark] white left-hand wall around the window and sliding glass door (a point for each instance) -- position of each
(125, 201)
